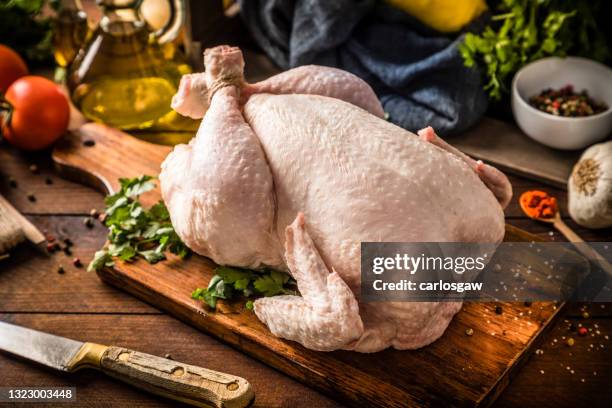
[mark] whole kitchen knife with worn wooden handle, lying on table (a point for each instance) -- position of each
(182, 382)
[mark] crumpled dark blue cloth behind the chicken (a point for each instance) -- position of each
(417, 73)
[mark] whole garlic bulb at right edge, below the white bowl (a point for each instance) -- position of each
(590, 187)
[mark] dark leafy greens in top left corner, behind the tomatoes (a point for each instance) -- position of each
(25, 28)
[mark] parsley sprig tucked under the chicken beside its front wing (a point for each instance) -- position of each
(228, 283)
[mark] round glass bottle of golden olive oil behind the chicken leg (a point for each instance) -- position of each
(127, 74)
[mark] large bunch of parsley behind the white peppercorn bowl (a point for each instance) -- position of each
(528, 30)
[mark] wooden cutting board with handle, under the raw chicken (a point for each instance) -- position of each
(456, 370)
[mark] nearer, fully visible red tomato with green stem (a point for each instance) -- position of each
(40, 113)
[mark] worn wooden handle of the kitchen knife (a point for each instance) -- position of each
(182, 382)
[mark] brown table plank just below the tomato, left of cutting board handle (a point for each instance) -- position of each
(60, 197)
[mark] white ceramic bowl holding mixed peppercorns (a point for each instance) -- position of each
(556, 131)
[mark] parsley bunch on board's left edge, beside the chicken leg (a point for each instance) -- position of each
(134, 231)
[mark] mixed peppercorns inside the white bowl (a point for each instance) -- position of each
(566, 102)
